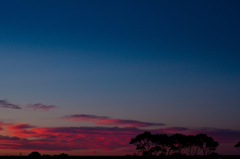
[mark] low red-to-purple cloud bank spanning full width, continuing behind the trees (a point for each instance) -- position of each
(114, 140)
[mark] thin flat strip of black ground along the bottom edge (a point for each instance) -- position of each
(124, 157)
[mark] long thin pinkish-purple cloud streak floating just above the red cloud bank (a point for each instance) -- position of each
(103, 120)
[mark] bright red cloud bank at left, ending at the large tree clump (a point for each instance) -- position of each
(26, 137)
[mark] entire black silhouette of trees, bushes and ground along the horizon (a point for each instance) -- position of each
(151, 146)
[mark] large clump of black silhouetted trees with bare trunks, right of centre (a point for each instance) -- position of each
(148, 144)
